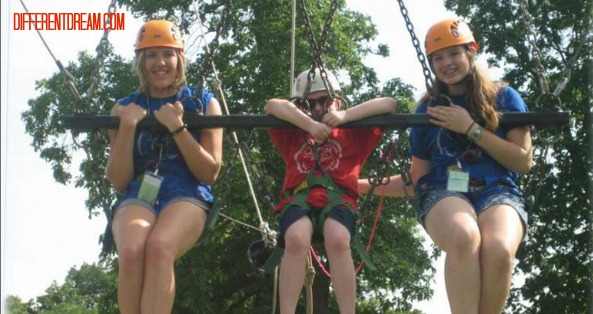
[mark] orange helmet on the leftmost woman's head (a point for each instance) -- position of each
(159, 33)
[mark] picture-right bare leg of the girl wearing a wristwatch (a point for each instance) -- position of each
(502, 232)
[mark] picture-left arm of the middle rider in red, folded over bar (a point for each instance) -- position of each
(287, 111)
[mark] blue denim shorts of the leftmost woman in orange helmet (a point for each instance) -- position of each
(171, 191)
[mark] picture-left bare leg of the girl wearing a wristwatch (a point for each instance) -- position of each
(453, 227)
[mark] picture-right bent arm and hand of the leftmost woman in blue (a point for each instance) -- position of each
(204, 158)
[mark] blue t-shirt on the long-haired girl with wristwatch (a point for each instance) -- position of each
(443, 147)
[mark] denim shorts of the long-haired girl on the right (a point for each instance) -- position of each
(480, 199)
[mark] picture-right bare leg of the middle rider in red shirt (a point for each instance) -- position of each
(337, 246)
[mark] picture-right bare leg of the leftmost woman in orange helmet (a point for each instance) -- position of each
(178, 228)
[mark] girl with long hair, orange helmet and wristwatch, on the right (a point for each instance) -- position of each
(464, 169)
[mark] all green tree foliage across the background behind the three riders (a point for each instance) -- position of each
(253, 64)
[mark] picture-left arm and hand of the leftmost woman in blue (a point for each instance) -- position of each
(120, 165)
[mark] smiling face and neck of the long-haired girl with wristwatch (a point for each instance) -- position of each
(451, 65)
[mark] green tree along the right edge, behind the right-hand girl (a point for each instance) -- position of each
(557, 257)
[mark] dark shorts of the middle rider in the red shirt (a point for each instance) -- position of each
(341, 214)
